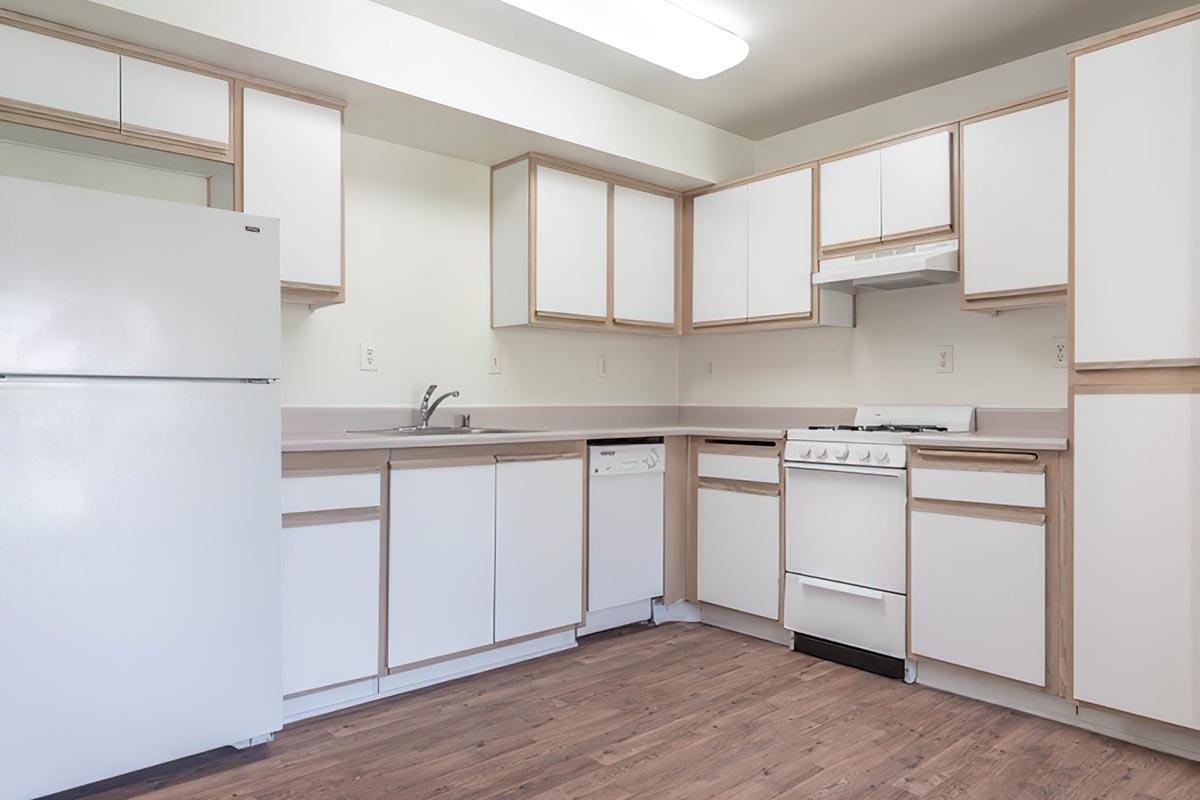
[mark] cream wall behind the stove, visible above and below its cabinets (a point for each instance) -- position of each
(891, 358)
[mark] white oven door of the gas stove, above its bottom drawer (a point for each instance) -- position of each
(848, 525)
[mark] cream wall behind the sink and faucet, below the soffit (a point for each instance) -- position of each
(417, 228)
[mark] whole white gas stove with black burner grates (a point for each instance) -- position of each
(845, 593)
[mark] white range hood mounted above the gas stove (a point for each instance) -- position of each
(902, 268)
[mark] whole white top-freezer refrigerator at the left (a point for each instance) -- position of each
(140, 465)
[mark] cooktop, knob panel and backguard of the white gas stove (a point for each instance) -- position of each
(877, 440)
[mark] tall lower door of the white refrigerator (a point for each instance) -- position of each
(140, 575)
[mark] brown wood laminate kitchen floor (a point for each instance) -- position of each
(669, 713)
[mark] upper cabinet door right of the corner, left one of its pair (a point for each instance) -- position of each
(721, 236)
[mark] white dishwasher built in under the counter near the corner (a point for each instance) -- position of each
(626, 509)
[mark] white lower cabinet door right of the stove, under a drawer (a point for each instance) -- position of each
(977, 594)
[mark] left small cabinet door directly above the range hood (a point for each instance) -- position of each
(850, 201)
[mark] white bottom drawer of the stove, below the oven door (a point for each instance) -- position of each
(839, 612)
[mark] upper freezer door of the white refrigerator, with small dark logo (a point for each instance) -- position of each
(97, 284)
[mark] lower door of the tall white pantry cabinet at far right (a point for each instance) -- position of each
(1136, 549)
